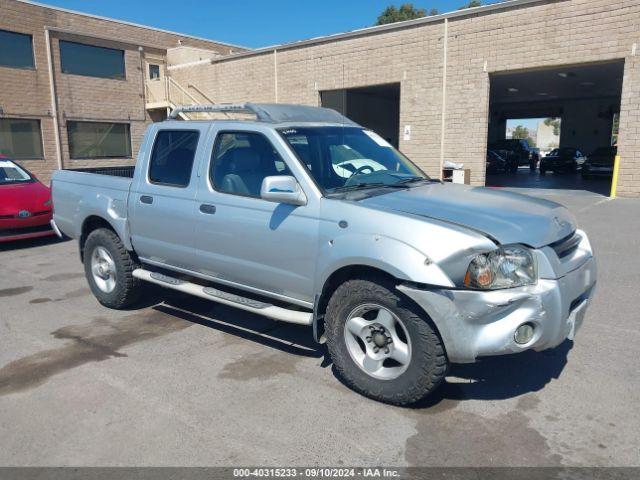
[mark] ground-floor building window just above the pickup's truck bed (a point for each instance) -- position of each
(99, 140)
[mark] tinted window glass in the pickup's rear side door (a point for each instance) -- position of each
(172, 157)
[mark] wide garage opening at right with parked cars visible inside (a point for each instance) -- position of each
(554, 128)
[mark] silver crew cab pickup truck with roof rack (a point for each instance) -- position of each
(303, 216)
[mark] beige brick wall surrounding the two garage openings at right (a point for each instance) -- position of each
(545, 34)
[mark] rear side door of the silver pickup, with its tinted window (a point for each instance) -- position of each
(162, 197)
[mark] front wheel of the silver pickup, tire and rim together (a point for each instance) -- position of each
(383, 346)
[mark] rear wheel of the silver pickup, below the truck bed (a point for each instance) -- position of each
(108, 266)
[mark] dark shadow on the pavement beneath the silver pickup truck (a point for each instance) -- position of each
(491, 378)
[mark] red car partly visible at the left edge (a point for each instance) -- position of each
(25, 204)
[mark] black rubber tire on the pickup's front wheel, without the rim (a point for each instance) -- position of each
(428, 363)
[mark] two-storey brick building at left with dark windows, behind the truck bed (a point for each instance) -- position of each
(96, 71)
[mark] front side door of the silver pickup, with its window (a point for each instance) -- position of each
(243, 240)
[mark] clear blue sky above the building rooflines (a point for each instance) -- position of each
(251, 23)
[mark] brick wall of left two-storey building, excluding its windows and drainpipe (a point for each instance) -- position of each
(26, 93)
